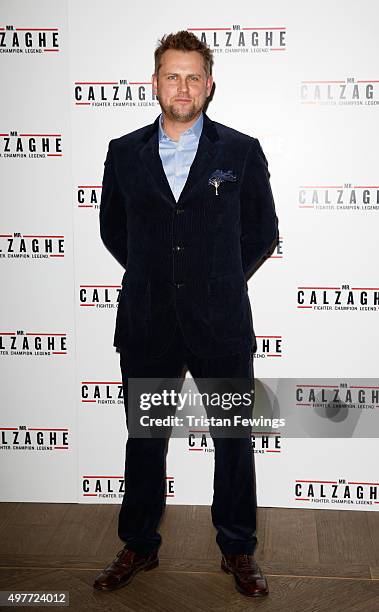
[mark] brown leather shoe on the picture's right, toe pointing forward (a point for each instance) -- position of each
(247, 574)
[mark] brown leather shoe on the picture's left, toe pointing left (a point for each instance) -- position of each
(122, 569)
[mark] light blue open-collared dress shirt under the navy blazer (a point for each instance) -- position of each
(177, 156)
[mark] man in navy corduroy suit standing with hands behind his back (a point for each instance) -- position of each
(187, 210)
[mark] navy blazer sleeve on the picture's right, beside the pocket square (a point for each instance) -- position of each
(259, 223)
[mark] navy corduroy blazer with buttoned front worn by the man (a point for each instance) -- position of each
(187, 262)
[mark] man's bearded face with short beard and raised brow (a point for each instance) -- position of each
(181, 85)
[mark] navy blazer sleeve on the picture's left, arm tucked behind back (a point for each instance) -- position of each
(113, 228)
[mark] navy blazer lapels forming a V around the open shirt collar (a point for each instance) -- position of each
(207, 148)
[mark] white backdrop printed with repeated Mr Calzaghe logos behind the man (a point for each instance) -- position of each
(304, 79)
